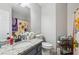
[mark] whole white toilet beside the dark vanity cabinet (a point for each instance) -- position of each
(46, 48)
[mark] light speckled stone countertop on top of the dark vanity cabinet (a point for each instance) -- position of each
(19, 47)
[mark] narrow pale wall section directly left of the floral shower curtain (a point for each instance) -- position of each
(70, 16)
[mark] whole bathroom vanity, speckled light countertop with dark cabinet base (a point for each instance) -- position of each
(31, 47)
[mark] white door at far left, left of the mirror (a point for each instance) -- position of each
(4, 23)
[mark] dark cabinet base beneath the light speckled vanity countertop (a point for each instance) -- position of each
(35, 50)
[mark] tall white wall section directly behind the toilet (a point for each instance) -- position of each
(48, 22)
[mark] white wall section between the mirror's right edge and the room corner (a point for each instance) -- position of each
(35, 18)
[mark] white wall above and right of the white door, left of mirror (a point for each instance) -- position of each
(7, 7)
